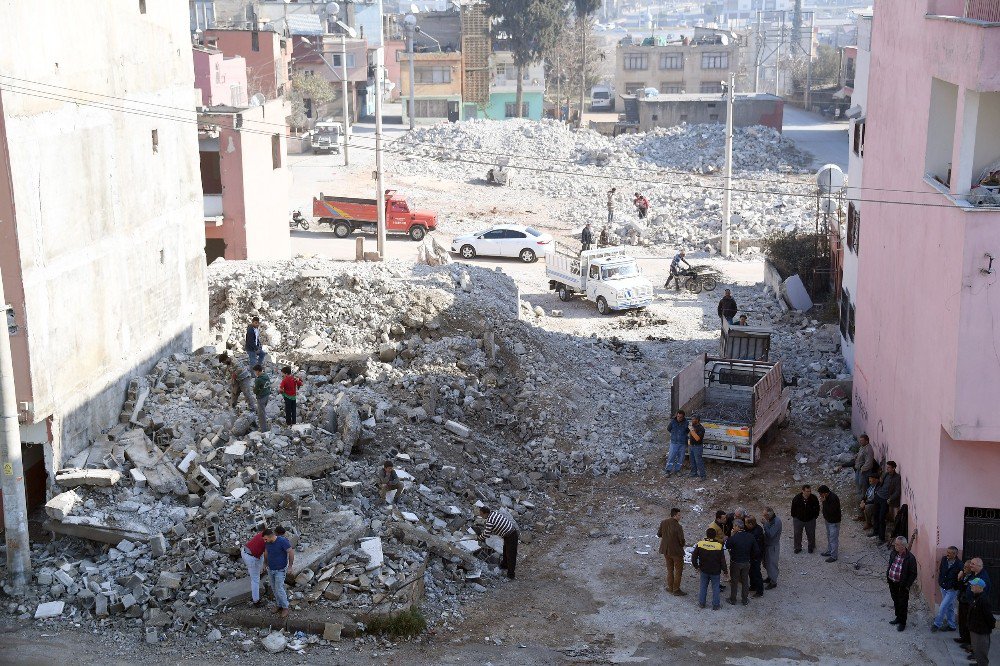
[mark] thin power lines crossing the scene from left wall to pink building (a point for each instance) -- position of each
(406, 139)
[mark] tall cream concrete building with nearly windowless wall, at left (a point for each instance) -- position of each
(101, 241)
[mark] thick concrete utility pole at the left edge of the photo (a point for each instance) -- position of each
(15, 509)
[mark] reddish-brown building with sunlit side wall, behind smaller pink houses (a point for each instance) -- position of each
(268, 57)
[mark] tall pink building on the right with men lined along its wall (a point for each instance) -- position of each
(927, 357)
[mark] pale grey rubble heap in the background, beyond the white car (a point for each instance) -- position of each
(678, 169)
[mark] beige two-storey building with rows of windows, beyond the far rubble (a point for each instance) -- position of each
(692, 66)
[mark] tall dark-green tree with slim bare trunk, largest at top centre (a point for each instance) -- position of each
(529, 28)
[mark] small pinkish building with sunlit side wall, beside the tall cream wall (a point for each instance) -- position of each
(245, 181)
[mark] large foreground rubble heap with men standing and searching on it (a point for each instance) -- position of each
(429, 368)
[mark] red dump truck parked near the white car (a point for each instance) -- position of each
(346, 215)
